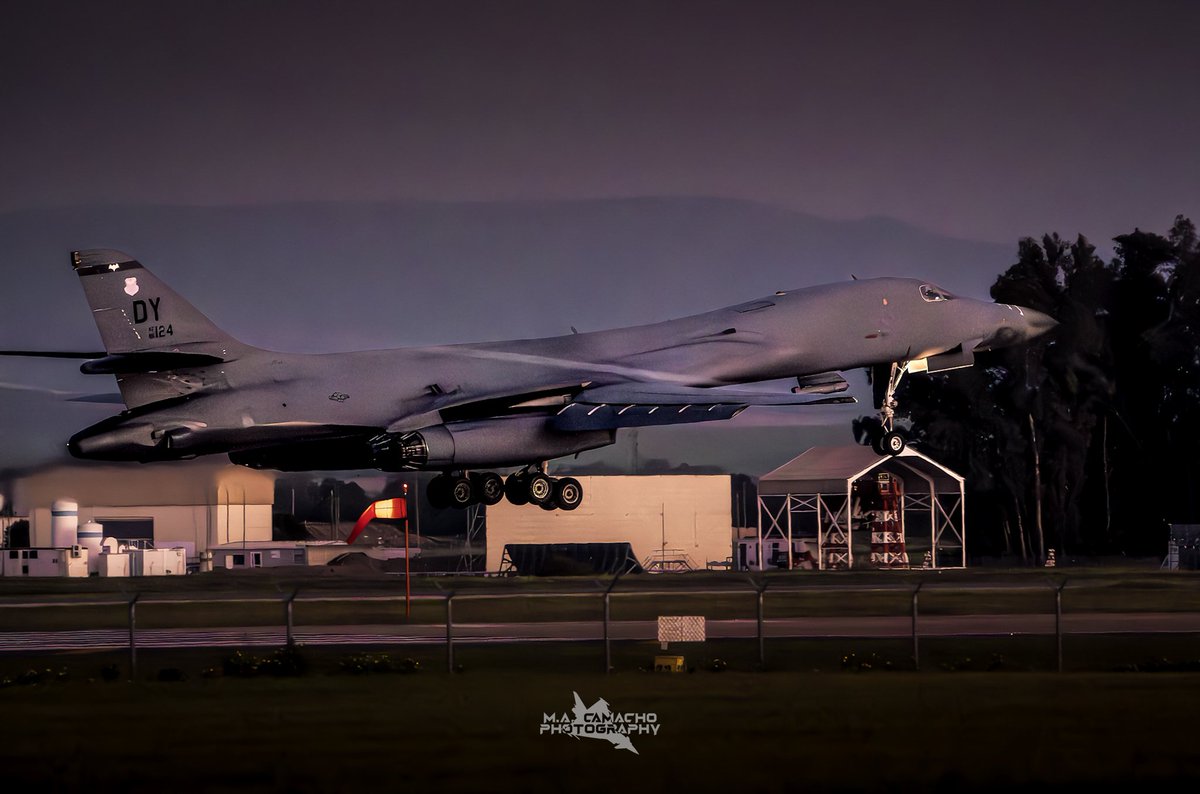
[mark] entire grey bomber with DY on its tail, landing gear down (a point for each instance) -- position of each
(190, 389)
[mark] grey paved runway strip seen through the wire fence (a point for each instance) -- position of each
(585, 631)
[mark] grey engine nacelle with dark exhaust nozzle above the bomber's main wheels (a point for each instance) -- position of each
(513, 441)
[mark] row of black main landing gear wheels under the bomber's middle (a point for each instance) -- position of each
(530, 486)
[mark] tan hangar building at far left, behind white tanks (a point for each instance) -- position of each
(191, 504)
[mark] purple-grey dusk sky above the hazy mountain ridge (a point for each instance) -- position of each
(986, 122)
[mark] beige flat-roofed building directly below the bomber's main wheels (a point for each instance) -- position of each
(673, 522)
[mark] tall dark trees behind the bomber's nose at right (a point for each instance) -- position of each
(1084, 442)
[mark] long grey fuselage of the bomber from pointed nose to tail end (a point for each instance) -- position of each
(331, 404)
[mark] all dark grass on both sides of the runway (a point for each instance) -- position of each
(985, 714)
